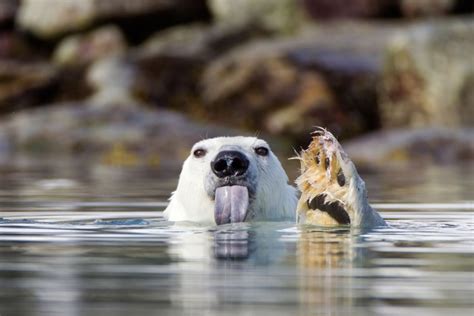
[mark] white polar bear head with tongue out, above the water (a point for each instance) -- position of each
(232, 179)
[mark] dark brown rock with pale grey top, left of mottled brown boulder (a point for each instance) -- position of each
(169, 64)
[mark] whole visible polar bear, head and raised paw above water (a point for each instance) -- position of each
(236, 179)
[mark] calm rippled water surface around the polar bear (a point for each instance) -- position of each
(84, 239)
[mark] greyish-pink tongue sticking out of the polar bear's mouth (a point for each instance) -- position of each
(231, 204)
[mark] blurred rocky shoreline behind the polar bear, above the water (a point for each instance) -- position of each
(137, 82)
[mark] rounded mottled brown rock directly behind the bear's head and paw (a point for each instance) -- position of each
(269, 92)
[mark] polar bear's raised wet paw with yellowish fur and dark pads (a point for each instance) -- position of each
(332, 193)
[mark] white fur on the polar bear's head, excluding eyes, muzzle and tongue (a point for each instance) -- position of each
(275, 199)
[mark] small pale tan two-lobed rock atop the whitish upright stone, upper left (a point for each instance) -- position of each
(82, 49)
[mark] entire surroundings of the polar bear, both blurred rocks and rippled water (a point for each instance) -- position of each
(101, 100)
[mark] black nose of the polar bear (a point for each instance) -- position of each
(229, 163)
